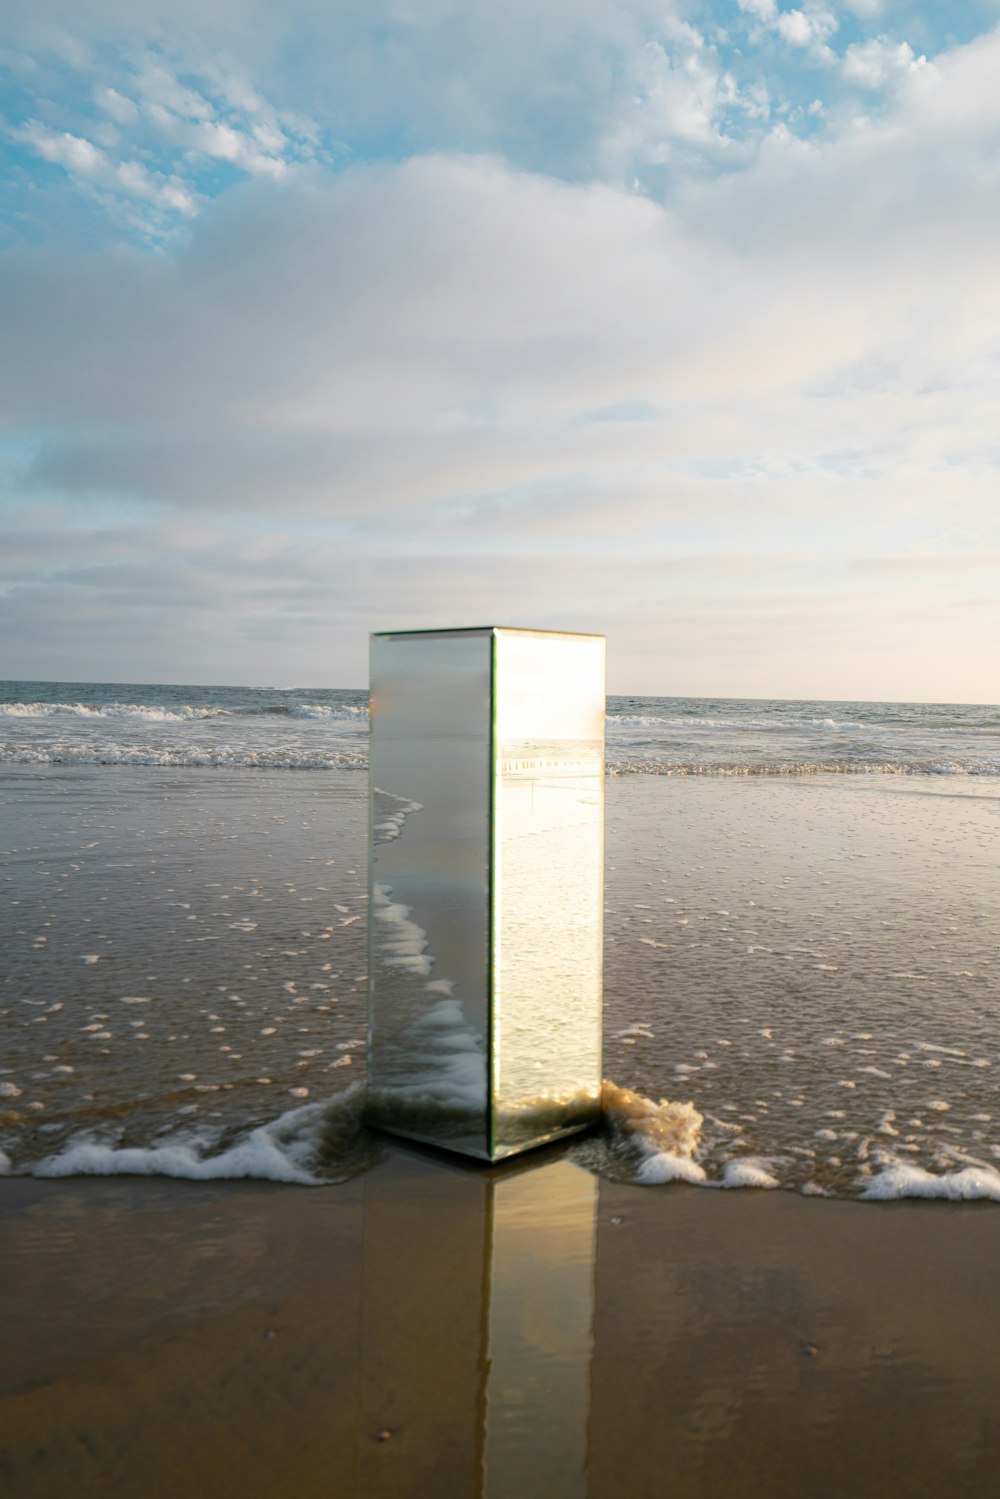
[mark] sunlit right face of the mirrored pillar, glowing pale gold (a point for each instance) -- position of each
(548, 890)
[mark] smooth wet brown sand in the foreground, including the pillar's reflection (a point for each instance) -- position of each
(434, 1330)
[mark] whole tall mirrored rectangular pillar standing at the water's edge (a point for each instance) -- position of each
(487, 887)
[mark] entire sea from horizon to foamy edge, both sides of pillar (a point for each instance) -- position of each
(803, 939)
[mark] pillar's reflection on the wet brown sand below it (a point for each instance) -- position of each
(478, 1344)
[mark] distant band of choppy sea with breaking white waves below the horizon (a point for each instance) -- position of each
(323, 729)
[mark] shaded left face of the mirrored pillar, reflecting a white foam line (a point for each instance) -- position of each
(430, 918)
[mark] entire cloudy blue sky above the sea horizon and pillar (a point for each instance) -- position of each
(672, 322)
